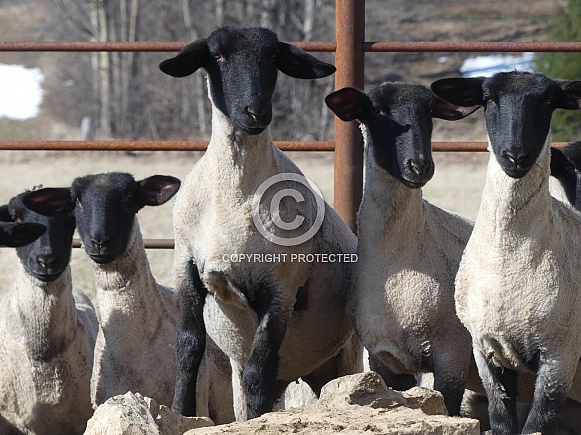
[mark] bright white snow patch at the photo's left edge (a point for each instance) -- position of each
(20, 92)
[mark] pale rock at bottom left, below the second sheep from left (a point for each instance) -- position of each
(133, 414)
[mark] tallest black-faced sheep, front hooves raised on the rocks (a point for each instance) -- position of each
(277, 320)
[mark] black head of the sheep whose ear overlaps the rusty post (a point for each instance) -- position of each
(398, 117)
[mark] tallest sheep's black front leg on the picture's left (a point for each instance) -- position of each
(191, 339)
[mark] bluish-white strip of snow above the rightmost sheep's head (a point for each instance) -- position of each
(485, 66)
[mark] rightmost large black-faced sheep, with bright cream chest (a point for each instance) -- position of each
(518, 280)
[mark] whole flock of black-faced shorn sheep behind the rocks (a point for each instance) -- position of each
(274, 295)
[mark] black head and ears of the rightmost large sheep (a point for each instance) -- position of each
(518, 107)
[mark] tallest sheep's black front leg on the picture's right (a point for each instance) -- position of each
(259, 380)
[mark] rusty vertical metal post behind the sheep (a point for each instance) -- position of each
(350, 34)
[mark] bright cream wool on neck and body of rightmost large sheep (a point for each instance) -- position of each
(519, 278)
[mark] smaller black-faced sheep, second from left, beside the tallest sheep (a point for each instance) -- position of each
(135, 348)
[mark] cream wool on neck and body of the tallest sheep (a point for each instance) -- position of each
(213, 217)
